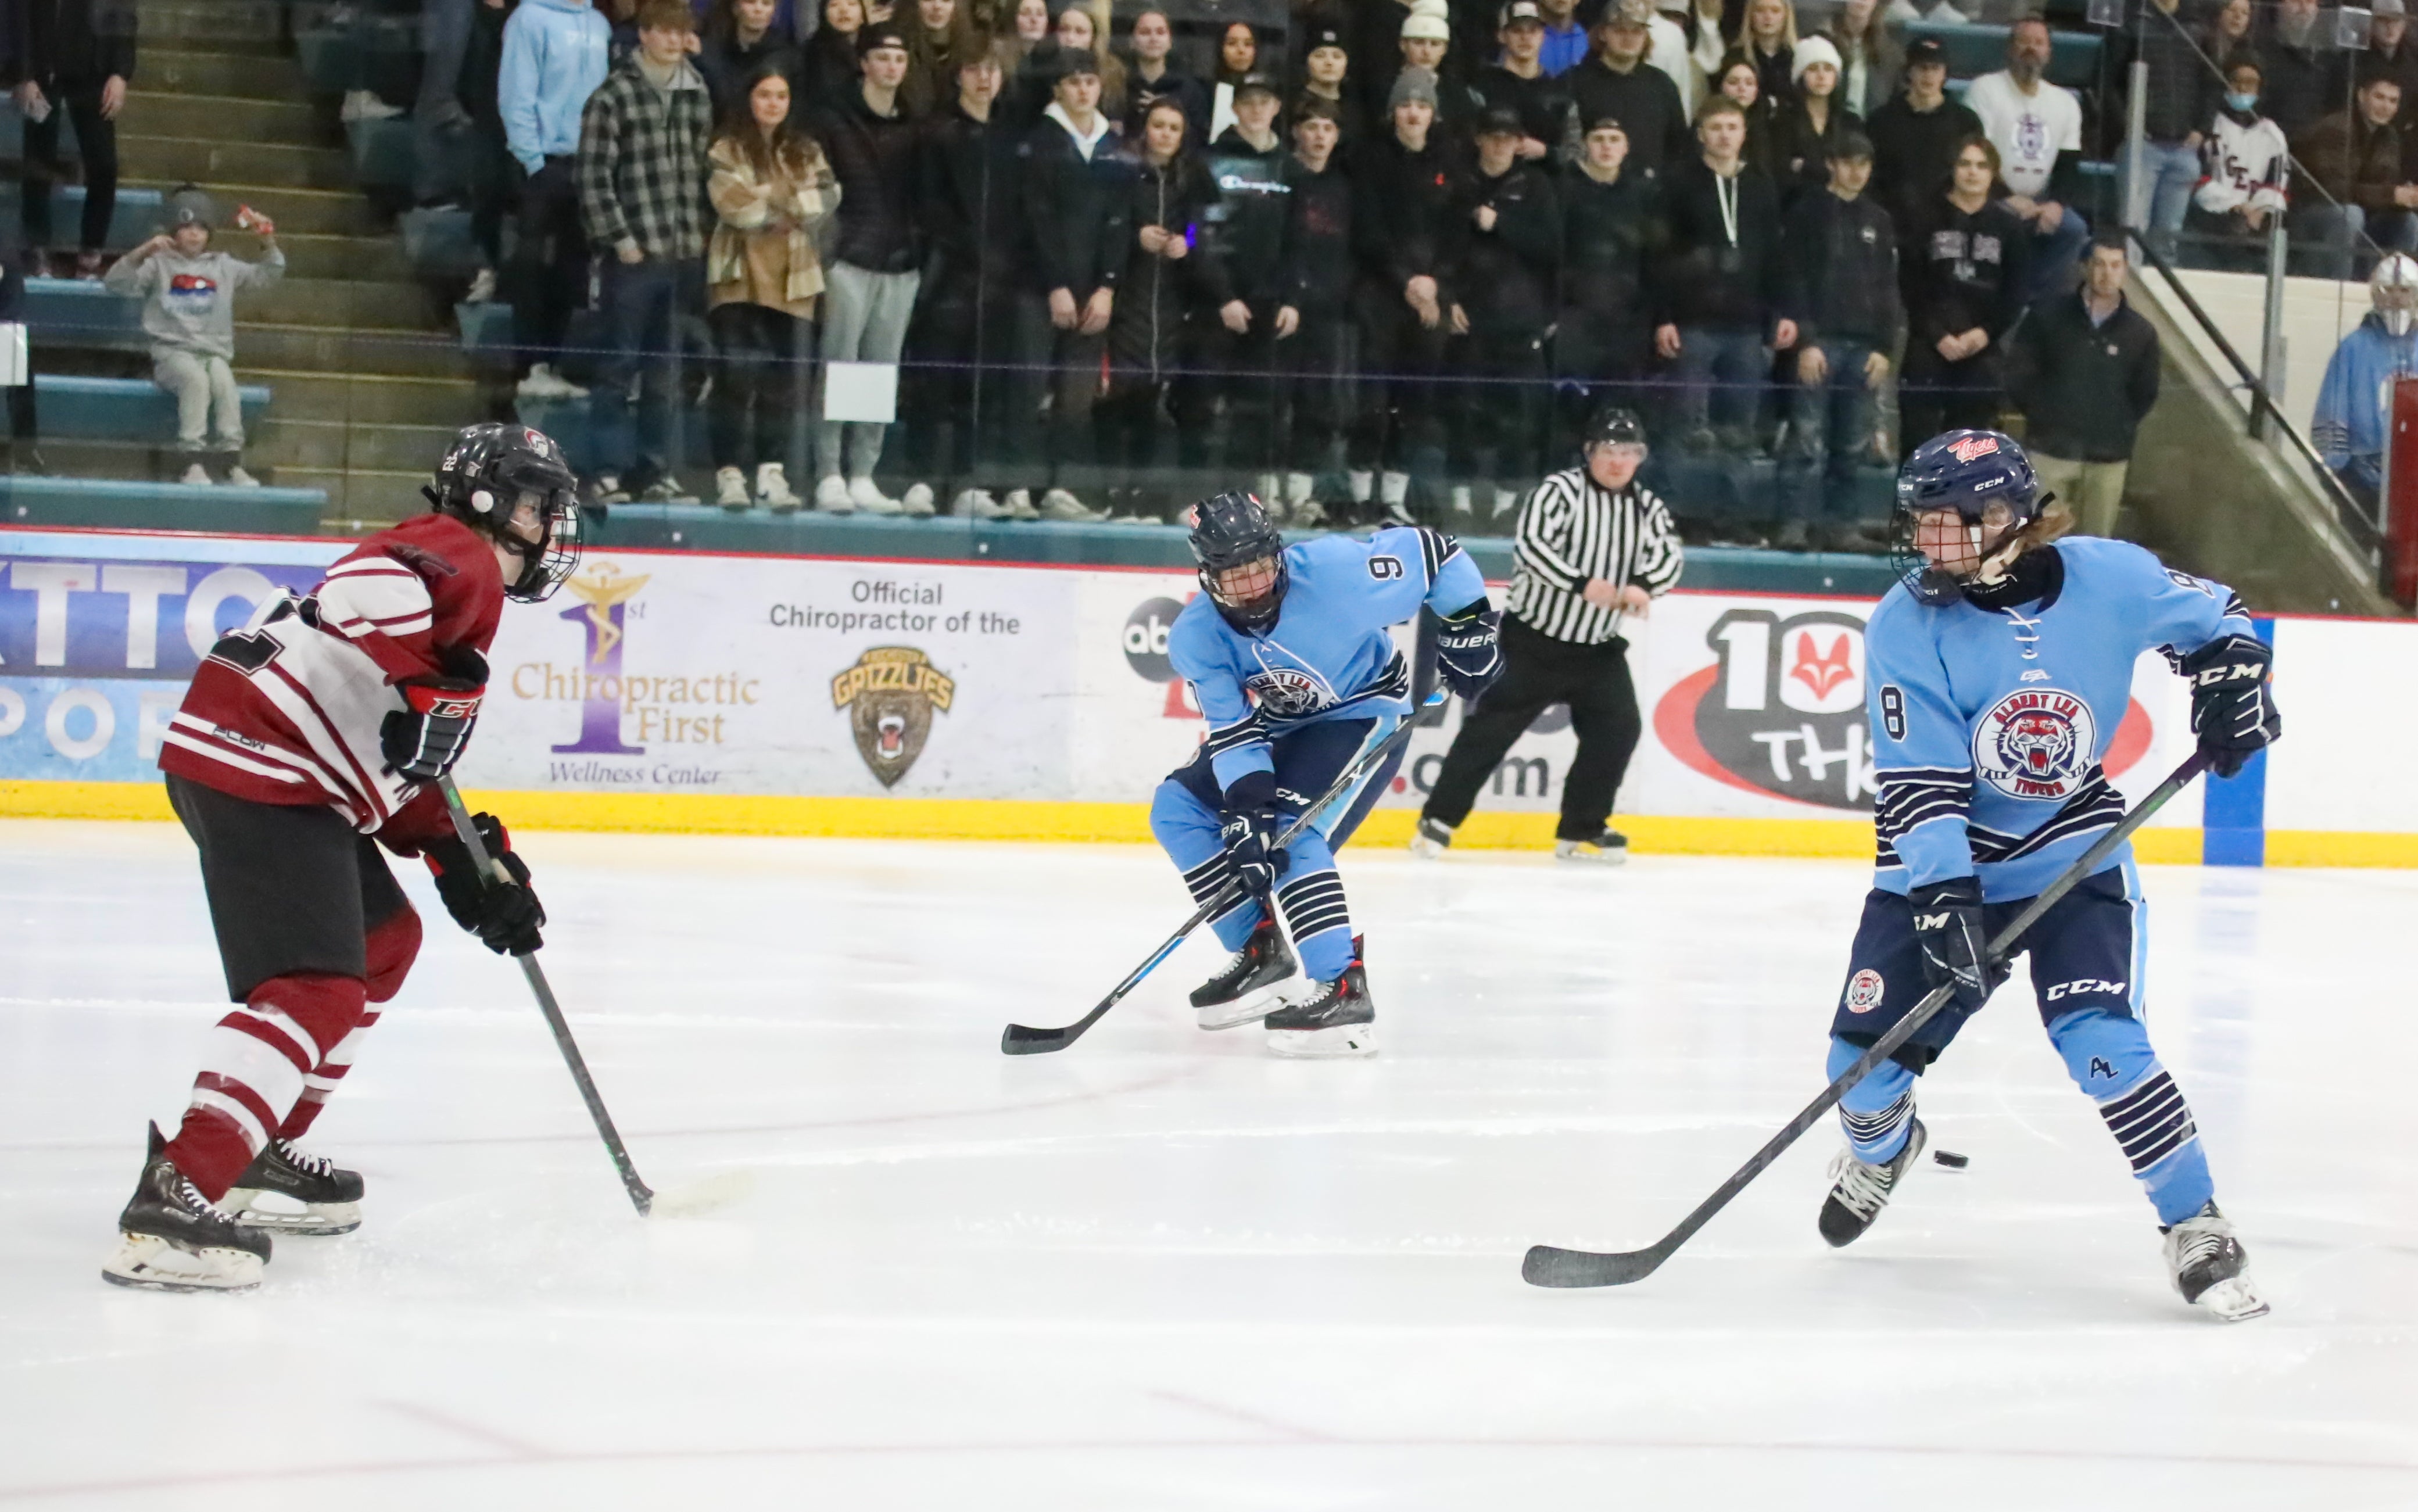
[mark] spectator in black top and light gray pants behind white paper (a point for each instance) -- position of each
(874, 270)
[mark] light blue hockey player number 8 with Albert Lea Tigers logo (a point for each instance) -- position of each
(2001, 669)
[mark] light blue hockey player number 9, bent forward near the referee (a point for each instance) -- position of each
(1290, 657)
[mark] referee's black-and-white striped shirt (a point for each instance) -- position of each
(1570, 531)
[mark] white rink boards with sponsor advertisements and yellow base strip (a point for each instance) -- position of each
(789, 696)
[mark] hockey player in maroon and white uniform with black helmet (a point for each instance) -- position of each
(311, 739)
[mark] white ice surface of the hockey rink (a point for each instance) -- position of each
(1169, 1271)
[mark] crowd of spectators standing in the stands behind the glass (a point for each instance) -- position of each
(1377, 258)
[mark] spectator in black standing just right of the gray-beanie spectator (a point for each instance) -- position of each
(1503, 306)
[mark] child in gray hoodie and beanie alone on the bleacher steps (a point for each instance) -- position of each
(190, 316)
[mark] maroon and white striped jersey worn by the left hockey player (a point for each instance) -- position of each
(289, 708)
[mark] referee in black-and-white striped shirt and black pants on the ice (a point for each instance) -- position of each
(1592, 548)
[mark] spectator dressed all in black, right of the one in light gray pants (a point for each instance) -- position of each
(964, 429)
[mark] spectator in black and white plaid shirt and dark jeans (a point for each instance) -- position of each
(644, 204)
